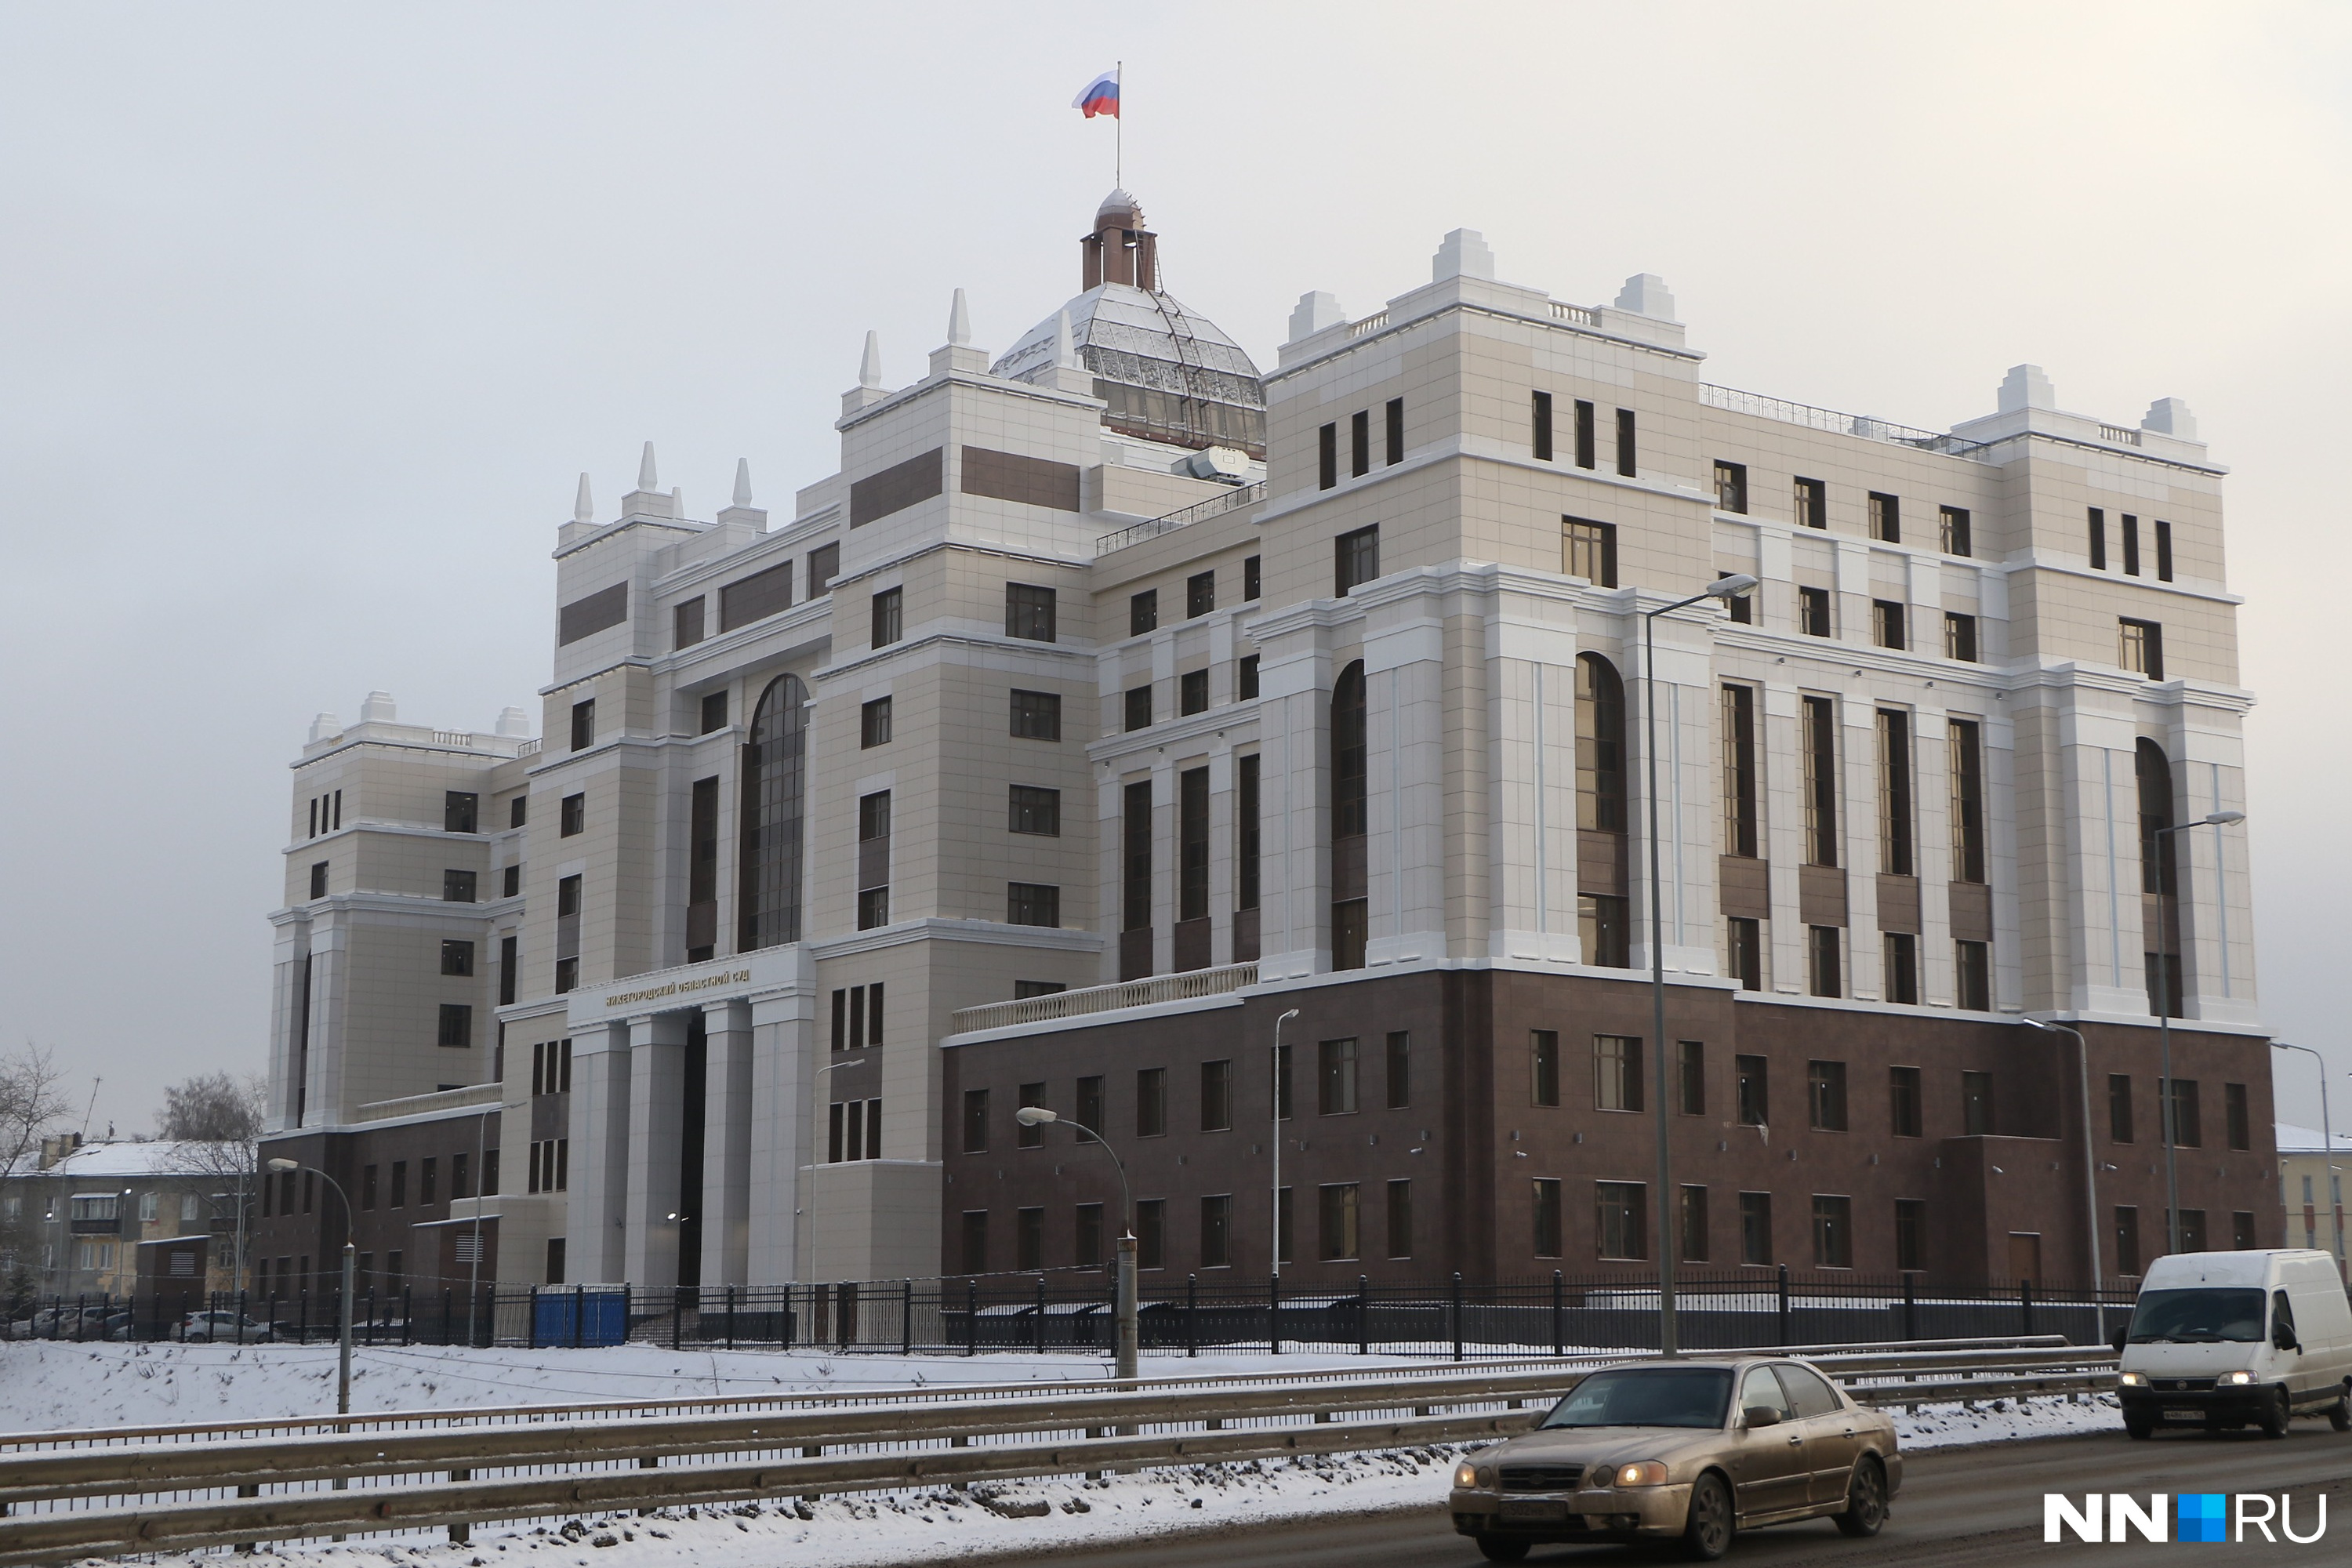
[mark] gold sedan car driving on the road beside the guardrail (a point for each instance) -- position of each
(1688, 1452)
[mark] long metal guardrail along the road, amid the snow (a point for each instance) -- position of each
(159, 1492)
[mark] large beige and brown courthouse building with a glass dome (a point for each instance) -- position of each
(1121, 699)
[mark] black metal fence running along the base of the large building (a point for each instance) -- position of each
(1071, 1313)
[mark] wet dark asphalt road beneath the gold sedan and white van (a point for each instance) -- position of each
(1972, 1506)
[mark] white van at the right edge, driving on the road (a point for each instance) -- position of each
(2238, 1339)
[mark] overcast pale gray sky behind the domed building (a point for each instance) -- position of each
(312, 316)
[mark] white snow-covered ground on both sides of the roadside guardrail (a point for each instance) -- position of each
(81, 1386)
